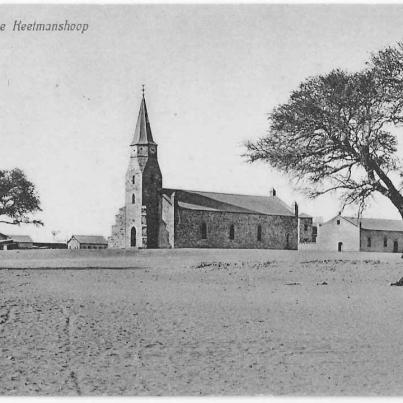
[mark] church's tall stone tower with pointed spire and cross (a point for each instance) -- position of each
(143, 187)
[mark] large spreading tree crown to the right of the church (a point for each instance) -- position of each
(335, 133)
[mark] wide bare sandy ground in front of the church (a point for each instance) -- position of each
(203, 322)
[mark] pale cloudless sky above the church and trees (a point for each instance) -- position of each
(69, 101)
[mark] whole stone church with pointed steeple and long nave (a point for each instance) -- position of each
(157, 217)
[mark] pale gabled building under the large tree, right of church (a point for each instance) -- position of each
(365, 234)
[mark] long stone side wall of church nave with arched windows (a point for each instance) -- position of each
(275, 230)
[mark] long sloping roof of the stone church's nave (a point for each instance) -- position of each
(236, 203)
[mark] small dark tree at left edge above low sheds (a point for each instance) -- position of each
(18, 198)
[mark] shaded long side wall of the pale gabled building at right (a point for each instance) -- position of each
(377, 241)
